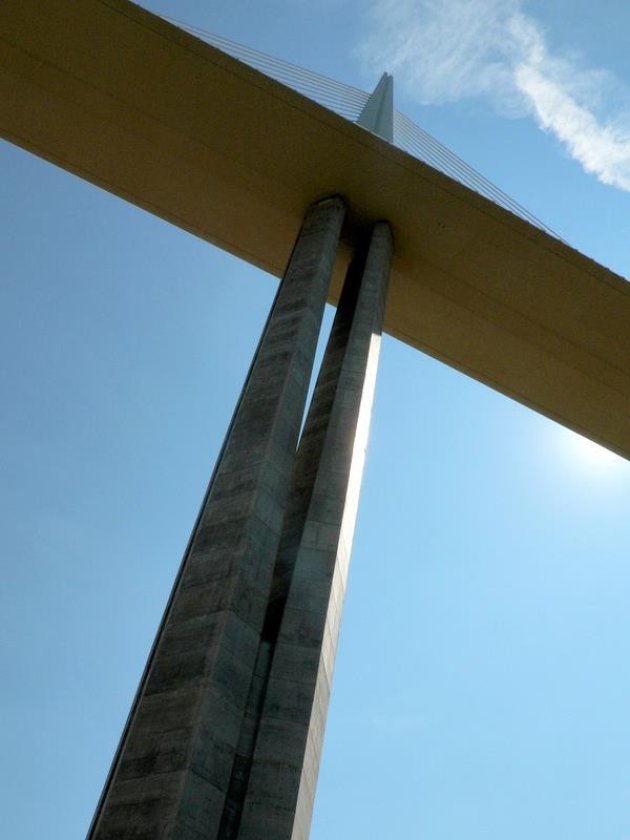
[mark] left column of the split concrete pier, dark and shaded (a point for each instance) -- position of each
(175, 762)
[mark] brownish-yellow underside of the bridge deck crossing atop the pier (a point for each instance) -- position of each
(124, 99)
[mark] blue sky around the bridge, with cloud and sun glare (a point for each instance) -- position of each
(483, 676)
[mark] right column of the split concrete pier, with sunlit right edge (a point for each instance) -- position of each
(309, 583)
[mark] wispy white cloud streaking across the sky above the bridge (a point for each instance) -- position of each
(447, 50)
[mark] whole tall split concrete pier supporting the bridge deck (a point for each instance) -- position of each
(225, 734)
